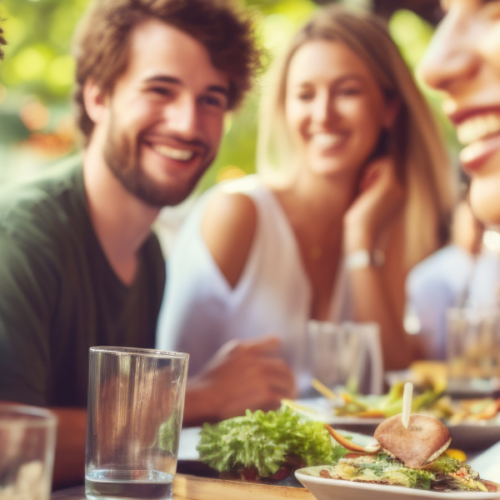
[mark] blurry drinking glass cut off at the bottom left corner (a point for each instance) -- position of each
(27, 444)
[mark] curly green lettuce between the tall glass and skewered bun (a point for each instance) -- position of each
(266, 441)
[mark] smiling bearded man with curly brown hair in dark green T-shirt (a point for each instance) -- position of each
(79, 264)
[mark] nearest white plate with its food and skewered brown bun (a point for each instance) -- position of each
(409, 458)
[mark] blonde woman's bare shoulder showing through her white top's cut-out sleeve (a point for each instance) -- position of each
(228, 228)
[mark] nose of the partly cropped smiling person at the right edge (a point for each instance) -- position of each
(450, 58)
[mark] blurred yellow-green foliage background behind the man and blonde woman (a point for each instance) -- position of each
(36, 78)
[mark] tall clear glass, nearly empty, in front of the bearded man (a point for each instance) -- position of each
(135, 407)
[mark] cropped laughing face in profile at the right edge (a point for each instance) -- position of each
(463, 60)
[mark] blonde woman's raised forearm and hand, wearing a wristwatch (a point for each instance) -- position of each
(379, 292)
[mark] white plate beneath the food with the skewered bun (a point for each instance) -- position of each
(330, 489)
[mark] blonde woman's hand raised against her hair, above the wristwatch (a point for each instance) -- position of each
(381, 197)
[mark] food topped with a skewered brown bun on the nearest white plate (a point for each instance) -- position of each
(414, 457)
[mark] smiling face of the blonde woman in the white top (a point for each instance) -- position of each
(335, 109)
